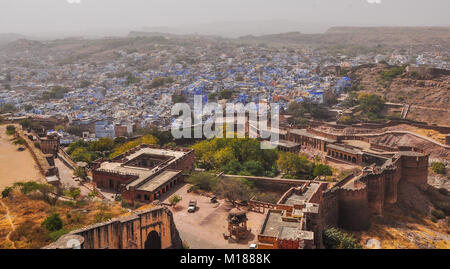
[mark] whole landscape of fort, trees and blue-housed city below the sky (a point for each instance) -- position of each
(361, 158)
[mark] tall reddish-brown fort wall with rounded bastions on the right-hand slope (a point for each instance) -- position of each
(349, 203)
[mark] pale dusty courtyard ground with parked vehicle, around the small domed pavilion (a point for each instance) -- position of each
(204, 228)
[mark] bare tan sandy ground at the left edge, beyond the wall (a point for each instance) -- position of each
(15, 165)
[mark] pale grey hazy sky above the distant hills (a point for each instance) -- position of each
(88, 16)
